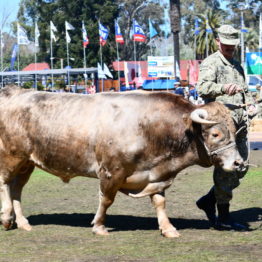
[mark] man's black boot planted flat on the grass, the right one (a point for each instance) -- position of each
(225, 222)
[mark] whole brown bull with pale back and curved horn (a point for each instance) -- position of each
(133, 142)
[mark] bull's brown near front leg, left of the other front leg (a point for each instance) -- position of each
(109, 185)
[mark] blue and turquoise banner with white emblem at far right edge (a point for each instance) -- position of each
(254, 63)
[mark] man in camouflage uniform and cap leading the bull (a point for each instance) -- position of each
(222, 78)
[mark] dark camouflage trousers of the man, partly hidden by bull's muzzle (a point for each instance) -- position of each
(225, 182)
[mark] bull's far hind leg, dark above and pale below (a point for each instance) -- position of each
(17, 185)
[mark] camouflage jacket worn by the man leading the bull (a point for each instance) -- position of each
(215, 72)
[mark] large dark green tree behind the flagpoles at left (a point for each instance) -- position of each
(73, 12)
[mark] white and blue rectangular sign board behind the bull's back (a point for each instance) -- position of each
(160, 66)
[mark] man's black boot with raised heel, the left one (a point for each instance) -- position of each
(208, 204)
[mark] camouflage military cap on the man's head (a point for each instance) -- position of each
(228, 35)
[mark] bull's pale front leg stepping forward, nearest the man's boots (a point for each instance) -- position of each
(166, 228)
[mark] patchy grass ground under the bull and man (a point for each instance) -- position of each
(61, 215)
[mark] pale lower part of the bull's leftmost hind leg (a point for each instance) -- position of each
(7, 207)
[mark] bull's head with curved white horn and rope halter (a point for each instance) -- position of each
(218, 140)
